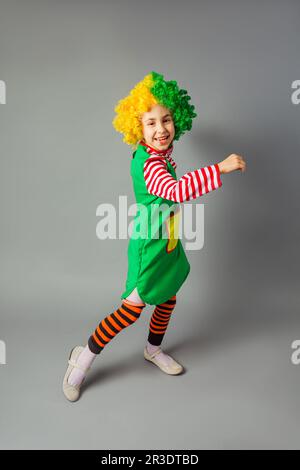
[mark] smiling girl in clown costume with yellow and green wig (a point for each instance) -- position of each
(151, 117)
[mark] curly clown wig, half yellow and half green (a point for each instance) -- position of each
(152, 90)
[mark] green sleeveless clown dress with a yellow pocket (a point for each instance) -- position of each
(157, 263)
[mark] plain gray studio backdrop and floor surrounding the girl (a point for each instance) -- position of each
(66, 64)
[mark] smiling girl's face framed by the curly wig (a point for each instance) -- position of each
(158, 127)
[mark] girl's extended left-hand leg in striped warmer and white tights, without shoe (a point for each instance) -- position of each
(108, 328)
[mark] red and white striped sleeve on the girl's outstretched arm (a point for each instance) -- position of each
(192, 185)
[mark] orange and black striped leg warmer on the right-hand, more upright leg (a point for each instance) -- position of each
(159, 321)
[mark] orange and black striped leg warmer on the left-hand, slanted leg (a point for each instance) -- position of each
(111, 325)
